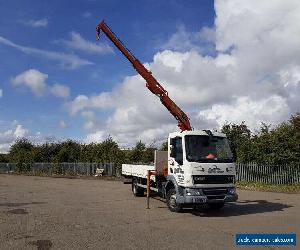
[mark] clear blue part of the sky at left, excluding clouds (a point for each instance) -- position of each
(142, 25)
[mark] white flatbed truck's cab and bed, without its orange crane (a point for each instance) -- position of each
(200, 170)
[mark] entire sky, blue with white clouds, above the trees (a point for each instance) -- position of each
(57, 81)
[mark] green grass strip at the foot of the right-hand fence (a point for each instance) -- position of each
(295, 188)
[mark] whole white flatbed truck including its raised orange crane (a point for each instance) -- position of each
(198, 167)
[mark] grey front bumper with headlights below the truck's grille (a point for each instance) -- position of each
(207, 196)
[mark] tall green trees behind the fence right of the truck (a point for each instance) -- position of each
(270, 145)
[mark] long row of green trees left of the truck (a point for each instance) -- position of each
(24, 151)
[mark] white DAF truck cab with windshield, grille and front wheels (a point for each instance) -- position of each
(200, 169)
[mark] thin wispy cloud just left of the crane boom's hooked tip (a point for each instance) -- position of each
(77, 42)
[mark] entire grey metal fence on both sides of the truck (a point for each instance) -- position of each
(250, 172)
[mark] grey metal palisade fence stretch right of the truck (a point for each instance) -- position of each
(271, 174)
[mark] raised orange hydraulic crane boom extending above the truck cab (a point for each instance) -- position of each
(151, 83)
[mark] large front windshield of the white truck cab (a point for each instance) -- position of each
(202, 148)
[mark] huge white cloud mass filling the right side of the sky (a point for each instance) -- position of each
(253, 77)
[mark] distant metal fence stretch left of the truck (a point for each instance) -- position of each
(89, 169)
